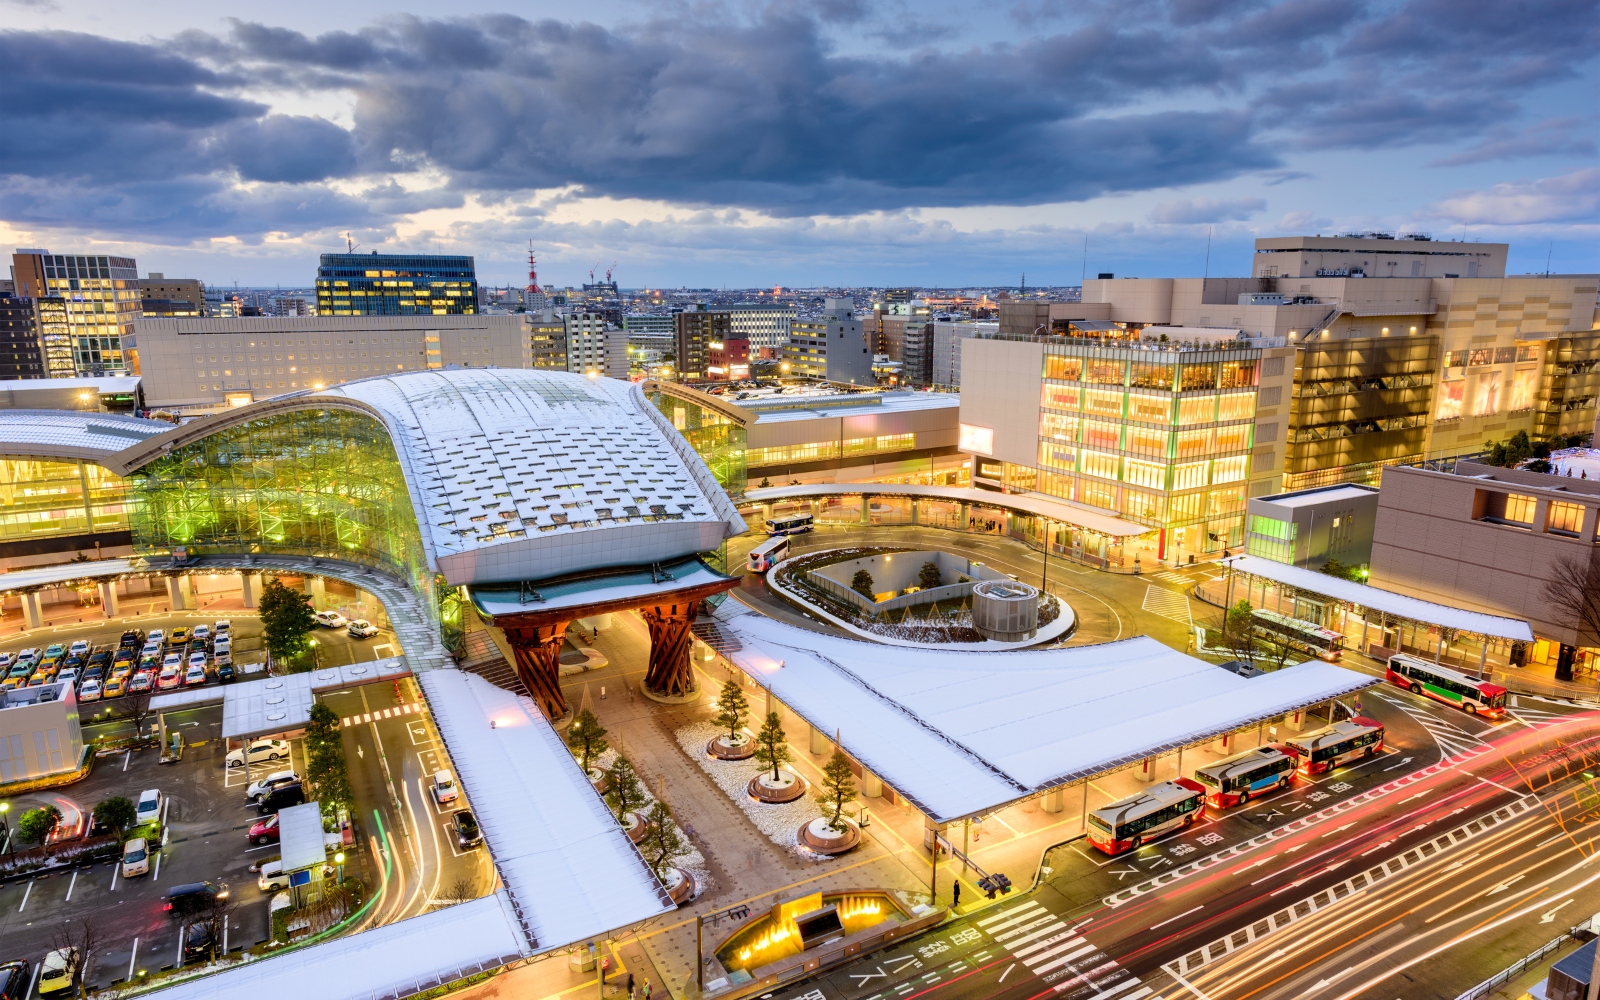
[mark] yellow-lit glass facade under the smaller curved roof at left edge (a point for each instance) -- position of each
(42, 498)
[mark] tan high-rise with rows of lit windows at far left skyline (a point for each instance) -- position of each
(100, 300)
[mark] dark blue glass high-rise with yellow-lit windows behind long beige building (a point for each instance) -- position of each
(374, 284)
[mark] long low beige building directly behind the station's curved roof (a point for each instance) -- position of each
(206, 366)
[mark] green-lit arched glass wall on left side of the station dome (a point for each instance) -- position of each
(310, 482)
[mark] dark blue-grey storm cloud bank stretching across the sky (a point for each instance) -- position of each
(759, 111)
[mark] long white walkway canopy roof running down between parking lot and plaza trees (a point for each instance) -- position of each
(569, 866)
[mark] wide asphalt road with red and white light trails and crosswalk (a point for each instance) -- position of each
(1279, 898)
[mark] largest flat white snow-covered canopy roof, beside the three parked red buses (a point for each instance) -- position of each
(966, 734)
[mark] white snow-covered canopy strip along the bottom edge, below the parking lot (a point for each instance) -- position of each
(393, 961)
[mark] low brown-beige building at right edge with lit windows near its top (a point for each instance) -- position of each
(1486, 540)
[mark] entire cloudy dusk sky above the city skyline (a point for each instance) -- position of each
(794, 143)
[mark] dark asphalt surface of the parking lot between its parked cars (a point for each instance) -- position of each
(207, 826)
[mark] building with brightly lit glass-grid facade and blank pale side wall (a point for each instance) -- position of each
(1174, 436)
